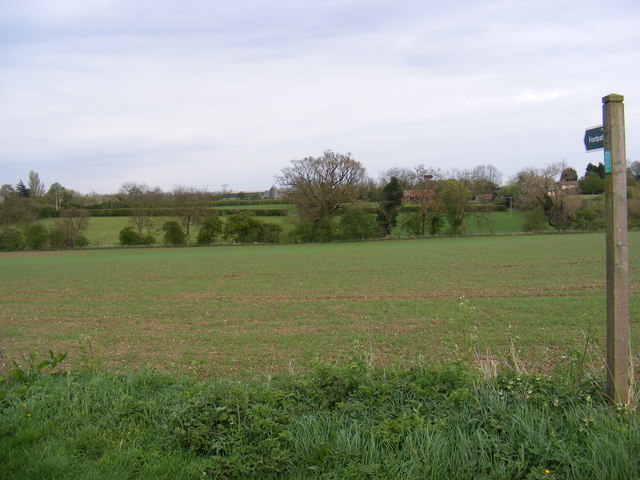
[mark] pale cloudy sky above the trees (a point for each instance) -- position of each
(224, 94)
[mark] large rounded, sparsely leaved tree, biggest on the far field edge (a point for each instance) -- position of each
(324, 187)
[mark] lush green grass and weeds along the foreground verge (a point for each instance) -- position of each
(347, 421)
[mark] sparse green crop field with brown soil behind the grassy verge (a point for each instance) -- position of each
(244, 311)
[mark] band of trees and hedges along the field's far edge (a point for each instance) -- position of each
(334, 199)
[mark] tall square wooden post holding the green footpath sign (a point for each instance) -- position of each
(618, 355)
